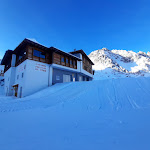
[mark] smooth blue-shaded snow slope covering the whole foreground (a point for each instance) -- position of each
(98, 115)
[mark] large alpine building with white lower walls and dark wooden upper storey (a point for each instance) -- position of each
(25, 76)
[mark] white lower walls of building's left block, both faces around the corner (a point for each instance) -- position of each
(30, 75)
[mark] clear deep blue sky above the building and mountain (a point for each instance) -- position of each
(80, 24)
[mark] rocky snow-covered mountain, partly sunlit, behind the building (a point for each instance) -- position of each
(120, 63)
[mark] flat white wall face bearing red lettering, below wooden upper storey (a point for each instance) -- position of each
(36, 77)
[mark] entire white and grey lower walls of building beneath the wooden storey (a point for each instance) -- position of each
(32, 76)
